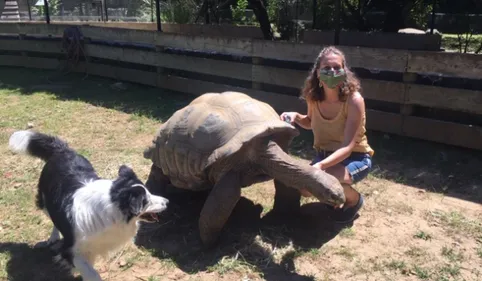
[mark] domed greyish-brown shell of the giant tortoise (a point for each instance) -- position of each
(213, 127)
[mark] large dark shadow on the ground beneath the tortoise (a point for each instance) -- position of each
(247, 239)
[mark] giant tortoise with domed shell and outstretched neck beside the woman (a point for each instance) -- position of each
(227, 141)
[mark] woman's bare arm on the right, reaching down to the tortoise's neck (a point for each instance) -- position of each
(356, 109)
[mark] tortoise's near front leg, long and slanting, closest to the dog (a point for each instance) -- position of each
(218, 207)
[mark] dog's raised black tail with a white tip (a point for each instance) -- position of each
(36, 144)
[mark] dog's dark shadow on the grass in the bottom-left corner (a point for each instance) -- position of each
(39, 261)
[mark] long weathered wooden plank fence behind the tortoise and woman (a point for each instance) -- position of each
(433, 96)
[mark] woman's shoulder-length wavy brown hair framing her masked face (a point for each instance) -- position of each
(312, 92)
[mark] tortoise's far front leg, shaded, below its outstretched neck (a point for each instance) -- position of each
(286, 199)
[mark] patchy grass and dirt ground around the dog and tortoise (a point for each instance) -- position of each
(422, 218)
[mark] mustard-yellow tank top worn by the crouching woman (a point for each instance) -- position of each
(329, 133)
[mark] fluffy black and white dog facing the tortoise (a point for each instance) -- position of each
(95, 216)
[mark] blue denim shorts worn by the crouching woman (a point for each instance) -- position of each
(358, 164)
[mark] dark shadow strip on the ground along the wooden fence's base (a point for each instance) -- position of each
(438, 168)
